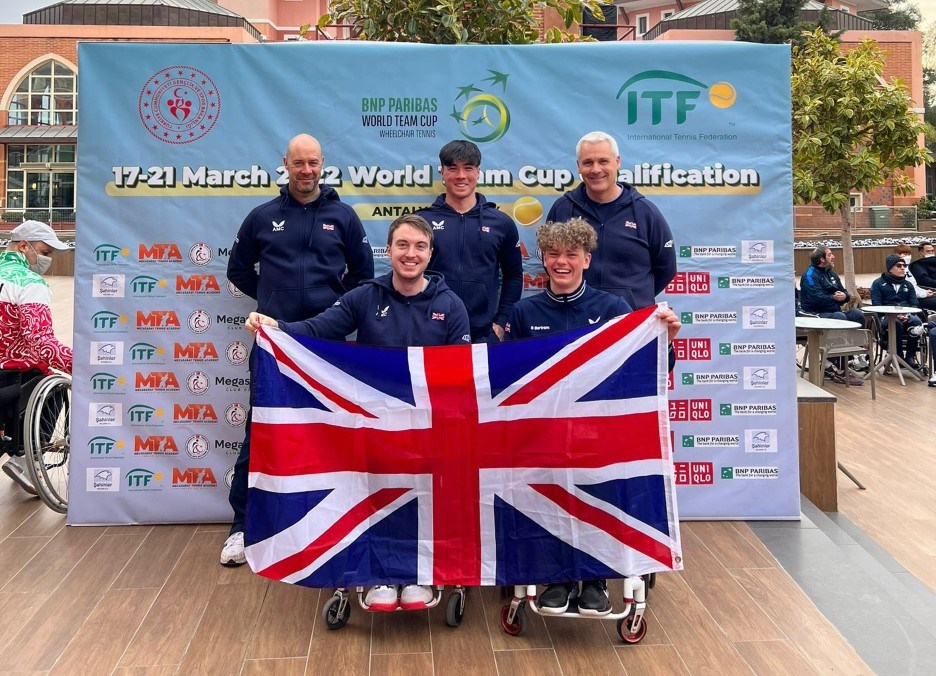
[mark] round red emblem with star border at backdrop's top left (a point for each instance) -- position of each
(179, 104)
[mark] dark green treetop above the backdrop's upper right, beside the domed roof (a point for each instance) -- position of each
(773, 22)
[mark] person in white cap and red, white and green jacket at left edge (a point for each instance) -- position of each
(28, 347)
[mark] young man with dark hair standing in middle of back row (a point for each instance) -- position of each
(474, 244)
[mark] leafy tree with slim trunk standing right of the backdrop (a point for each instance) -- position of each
(852, 130)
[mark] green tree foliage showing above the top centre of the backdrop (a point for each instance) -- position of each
(454, 21)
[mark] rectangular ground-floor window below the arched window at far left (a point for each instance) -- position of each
(41, 177)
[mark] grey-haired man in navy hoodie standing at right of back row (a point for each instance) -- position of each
(635, 258)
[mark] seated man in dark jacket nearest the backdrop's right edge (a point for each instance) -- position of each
(822, 293)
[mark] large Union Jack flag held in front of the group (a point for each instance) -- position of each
(534, 461)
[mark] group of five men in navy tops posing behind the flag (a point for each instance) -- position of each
(606, 250)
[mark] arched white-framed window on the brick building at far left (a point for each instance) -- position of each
(47, 96)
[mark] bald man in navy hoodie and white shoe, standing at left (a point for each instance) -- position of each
(311, 249)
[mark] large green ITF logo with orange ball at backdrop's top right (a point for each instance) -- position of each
(668, 96)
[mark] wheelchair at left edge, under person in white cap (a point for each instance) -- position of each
(39, 431)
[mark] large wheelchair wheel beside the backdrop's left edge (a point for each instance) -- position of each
(46, 431)
